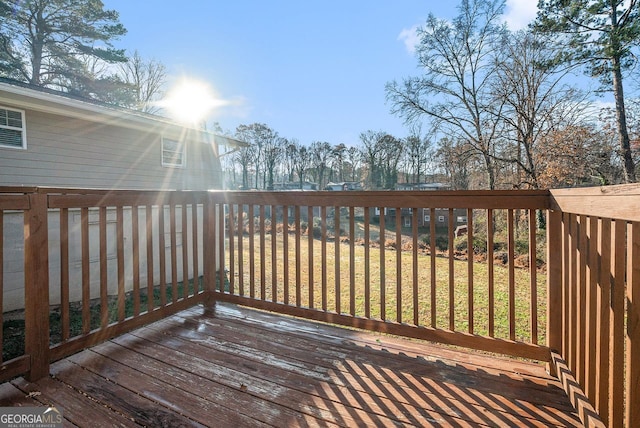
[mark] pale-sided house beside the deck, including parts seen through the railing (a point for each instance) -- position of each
(48, 139)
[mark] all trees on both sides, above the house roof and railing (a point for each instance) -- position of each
(491, 108)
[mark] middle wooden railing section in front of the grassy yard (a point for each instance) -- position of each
(347, 258)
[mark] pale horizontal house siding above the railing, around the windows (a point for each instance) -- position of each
(70, 152)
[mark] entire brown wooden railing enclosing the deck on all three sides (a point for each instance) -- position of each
(385, 261)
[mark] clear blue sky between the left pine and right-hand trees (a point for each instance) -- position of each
(311, 70)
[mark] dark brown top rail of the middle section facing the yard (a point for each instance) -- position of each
(481, 199)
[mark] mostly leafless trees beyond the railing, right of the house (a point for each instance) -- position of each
(499, 109)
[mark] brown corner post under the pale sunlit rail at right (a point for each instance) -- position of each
(554, 282)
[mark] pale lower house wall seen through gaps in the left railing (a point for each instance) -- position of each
(14, 253)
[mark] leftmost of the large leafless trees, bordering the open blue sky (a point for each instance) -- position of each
(454, 91)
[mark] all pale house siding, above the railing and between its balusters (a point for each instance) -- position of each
(71, 152)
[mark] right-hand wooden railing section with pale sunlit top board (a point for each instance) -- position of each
(596, 281)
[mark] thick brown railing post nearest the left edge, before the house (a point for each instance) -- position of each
(36, 286)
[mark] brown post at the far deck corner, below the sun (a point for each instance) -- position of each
(209, 251)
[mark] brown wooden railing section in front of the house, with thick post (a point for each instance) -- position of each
(101, 263)
